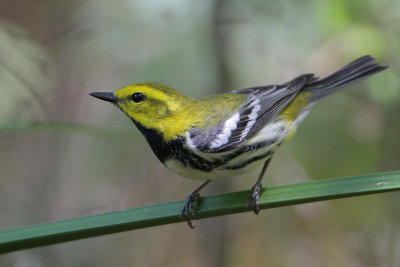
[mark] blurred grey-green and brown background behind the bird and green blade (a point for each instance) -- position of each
(92, 159)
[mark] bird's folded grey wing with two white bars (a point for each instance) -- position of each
(262, 105)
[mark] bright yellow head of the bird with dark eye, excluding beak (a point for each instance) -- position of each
(155, 106)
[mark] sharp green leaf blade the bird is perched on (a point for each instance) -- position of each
(210, 206)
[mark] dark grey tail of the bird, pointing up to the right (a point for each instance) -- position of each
(355, 71)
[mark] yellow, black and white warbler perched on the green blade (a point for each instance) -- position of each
(225, 135)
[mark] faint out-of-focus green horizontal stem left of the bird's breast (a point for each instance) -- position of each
(6, 127)
